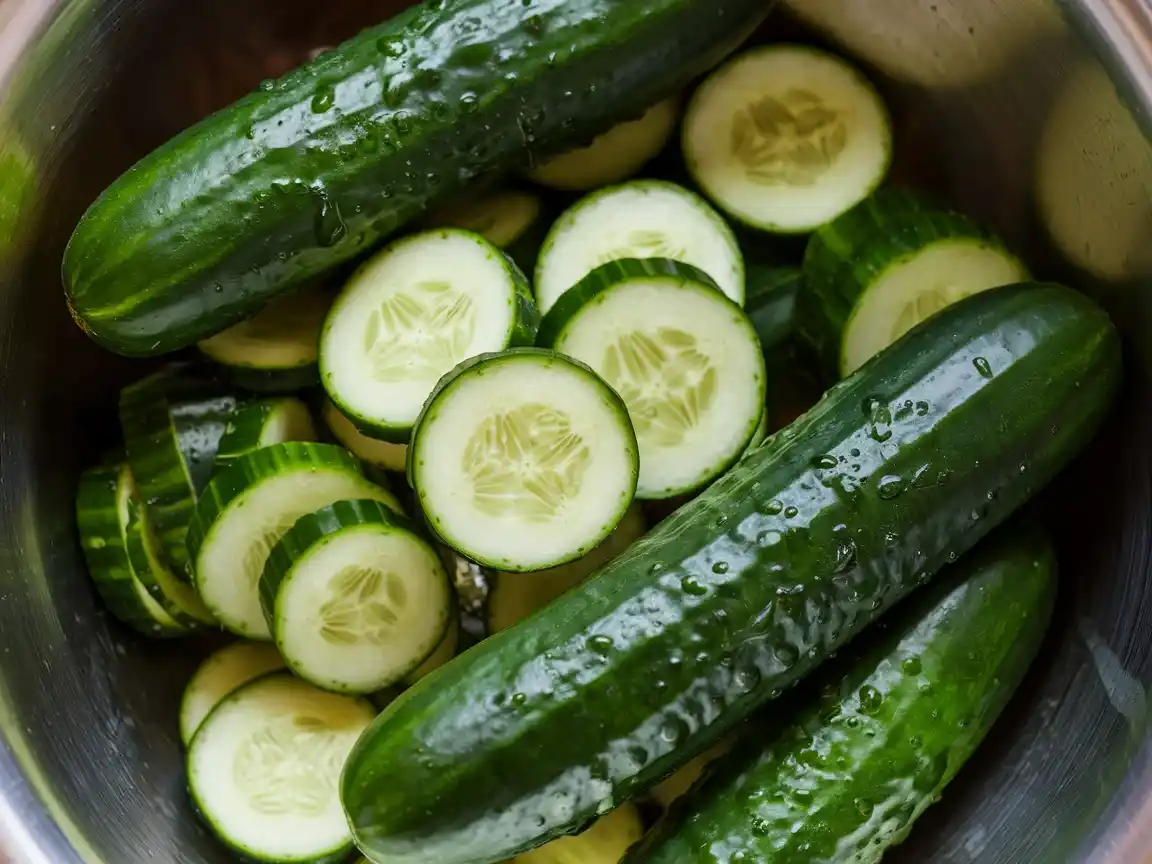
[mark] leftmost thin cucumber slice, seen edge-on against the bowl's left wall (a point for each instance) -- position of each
(103, 502)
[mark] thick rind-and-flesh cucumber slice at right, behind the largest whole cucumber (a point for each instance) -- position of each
(885, 267)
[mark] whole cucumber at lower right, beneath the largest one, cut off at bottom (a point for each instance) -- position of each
(896, 724)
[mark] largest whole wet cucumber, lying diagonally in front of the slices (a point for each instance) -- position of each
(744, 592)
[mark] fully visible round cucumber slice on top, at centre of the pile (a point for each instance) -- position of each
(524, 460)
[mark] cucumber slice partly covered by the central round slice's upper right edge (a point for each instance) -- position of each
(685, 359)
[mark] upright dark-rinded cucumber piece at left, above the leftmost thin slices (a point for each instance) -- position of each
(173, 425)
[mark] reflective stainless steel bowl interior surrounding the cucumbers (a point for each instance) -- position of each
(1028, 113)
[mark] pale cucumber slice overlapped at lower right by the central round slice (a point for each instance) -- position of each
(412, 314)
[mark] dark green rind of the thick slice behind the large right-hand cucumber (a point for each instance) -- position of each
(845, 257)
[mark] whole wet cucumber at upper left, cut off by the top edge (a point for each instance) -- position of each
(315, 169)
